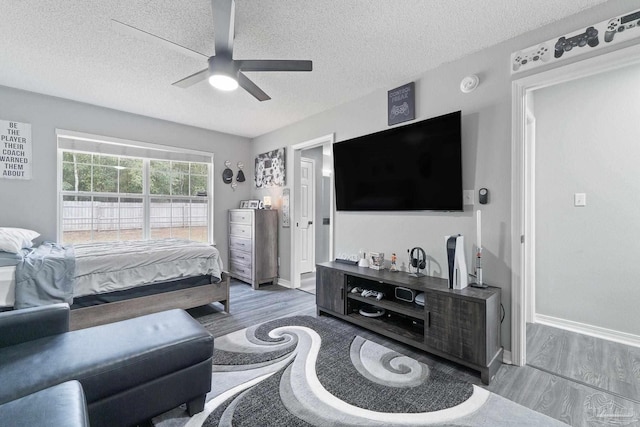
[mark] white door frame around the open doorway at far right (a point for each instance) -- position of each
(522, 179)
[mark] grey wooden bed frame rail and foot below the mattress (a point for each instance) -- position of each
(85, 317)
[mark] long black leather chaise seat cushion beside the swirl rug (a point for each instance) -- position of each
(106, 359)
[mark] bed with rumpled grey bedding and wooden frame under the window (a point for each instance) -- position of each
(111, 281)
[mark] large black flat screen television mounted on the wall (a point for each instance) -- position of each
(407, 168)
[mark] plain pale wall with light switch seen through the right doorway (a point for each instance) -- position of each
(587, 141)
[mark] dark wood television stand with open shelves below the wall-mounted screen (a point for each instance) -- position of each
(461, 325)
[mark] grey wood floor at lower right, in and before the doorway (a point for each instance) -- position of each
(588, 381)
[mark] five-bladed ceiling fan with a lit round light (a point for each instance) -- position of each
(224, 72)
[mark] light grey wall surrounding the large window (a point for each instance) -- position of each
(32, 203)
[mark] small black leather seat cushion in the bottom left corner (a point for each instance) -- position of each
(62, 405)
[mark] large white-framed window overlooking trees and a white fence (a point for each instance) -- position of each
(121, 191)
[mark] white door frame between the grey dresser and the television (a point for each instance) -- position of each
(295, 203)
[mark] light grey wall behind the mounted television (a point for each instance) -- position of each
(486, 134)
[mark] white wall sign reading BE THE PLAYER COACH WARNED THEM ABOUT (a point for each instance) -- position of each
(15, 157)
